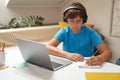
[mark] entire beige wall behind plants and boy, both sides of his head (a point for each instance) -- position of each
(99, 14)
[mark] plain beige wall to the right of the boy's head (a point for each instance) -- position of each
(100, 14)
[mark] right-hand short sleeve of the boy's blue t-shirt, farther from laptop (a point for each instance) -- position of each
(95, 38)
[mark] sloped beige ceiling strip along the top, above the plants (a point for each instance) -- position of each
(35, 3)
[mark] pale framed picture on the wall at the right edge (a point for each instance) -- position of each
(115, 25)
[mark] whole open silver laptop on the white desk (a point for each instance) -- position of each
(36, 53)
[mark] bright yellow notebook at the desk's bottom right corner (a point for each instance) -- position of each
(102, 76)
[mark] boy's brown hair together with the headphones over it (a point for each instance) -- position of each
(75, 9)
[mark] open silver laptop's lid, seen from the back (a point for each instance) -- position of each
(35, 53)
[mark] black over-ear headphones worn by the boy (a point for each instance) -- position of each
(76, 8)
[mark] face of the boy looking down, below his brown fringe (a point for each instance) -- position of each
(75, 23)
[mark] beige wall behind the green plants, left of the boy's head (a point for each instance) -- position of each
(51, 14)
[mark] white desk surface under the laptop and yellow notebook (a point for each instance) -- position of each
(32, 72)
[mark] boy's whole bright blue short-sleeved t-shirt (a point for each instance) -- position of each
(82, 43)
